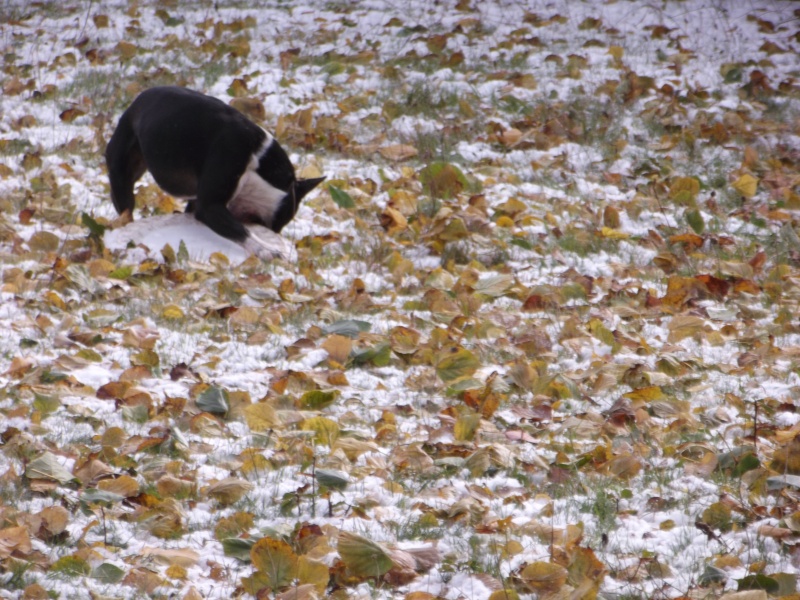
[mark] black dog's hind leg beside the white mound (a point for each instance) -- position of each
(125, 164)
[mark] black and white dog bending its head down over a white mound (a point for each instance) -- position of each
(197, 147)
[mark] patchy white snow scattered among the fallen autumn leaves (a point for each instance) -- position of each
(714, 32)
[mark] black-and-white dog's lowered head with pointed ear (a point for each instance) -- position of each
(276, 206)
